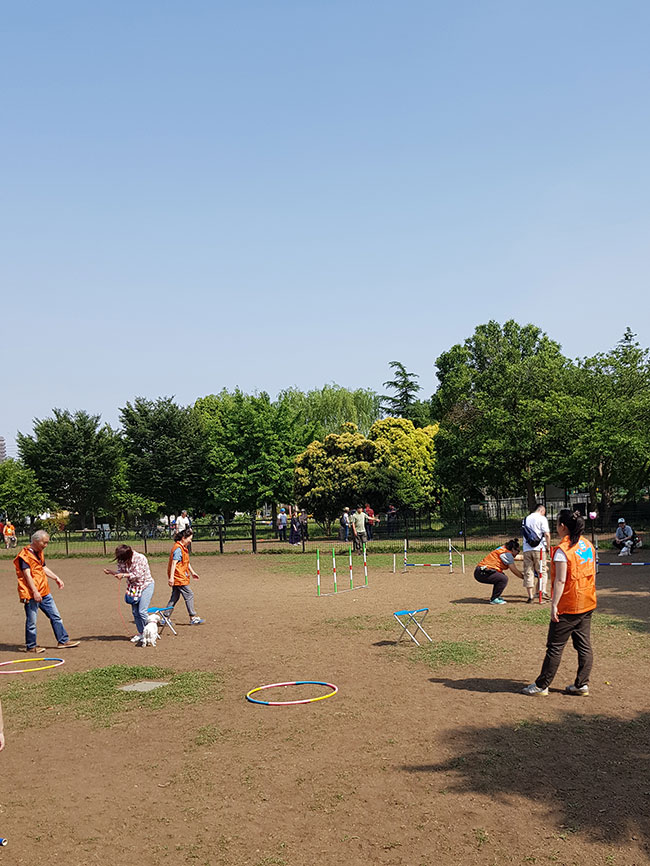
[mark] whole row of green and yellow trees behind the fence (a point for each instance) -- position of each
(510, 413)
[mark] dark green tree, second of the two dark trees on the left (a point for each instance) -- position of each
(165, 453)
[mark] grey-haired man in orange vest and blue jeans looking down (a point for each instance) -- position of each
(34, 592)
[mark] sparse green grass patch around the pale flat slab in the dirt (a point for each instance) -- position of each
(94, 694)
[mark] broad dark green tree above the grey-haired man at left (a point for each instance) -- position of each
(74, 459)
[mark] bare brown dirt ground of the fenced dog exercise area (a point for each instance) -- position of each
(408, 764)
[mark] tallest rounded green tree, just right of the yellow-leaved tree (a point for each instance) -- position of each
(493, 402)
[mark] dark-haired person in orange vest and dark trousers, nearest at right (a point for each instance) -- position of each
(573, 576)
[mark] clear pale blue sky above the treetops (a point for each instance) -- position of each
(264, 193)
